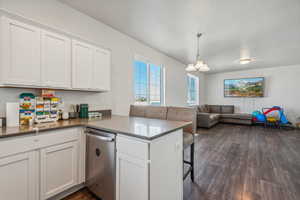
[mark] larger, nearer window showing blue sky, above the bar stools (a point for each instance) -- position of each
(148, 83)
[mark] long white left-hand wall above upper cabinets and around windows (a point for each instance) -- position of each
(123, 49)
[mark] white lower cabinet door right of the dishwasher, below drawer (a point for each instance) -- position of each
(132, 178)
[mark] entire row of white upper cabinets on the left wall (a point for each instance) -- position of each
(37, 58)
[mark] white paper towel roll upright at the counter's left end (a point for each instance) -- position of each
(12, 114)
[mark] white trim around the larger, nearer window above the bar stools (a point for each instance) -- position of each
(146, 60)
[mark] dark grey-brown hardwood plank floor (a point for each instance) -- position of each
(242, 163)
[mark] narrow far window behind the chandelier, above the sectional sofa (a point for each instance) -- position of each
(193, 89)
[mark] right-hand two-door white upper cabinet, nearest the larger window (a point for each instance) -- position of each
(90, 67)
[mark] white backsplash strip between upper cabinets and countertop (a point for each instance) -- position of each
(96, 101)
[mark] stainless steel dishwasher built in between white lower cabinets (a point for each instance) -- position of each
(101, 163)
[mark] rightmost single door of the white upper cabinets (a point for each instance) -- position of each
(102, 64)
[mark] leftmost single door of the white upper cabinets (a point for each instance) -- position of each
(21, 53)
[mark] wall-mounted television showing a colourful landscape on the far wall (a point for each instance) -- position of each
(244, 87)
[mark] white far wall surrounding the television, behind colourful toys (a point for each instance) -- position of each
(282, 88)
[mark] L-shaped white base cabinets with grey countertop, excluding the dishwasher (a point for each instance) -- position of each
(148, 158)
